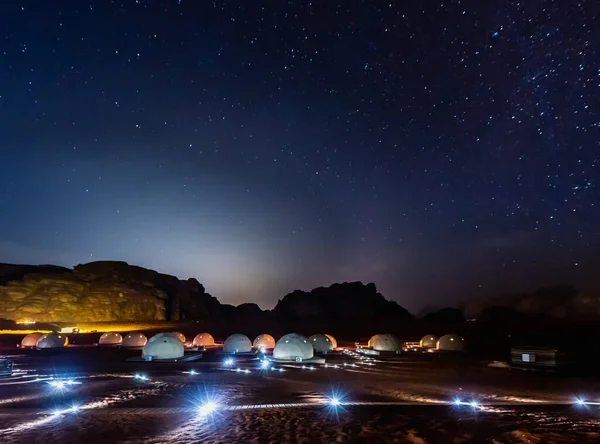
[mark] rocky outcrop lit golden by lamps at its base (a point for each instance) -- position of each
(100, 291)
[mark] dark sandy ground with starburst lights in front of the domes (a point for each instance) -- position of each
(401, 400)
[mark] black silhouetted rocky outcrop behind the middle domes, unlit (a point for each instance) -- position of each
(340, 302)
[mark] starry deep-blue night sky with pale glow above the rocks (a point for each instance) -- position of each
(445, 150)
